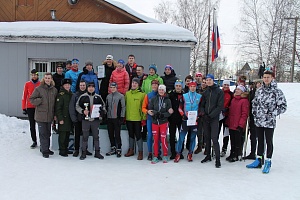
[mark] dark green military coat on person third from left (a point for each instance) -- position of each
(62, 110)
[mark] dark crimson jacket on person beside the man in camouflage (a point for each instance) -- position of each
(238, 112)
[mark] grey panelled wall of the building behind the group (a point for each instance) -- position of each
(15, 69)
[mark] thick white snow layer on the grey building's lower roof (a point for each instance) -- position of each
(57, 29)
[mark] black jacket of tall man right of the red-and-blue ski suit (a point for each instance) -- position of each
(212, 101)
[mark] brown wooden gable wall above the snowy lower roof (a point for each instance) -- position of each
(83, 11)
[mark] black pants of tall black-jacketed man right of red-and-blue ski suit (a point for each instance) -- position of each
(211, 128)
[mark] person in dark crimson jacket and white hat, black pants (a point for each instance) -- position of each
(237, 119)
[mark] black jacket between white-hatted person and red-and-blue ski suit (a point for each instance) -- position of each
(176, 100)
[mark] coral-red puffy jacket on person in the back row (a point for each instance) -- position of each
(121, 77)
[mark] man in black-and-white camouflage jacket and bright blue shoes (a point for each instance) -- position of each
(269, 102)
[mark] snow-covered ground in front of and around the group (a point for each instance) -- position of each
(25, 174)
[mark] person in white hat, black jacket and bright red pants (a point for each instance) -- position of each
(159, 110)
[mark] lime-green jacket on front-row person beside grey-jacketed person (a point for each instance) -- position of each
(134, 100)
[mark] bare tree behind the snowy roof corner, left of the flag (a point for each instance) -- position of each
(192, 15)
